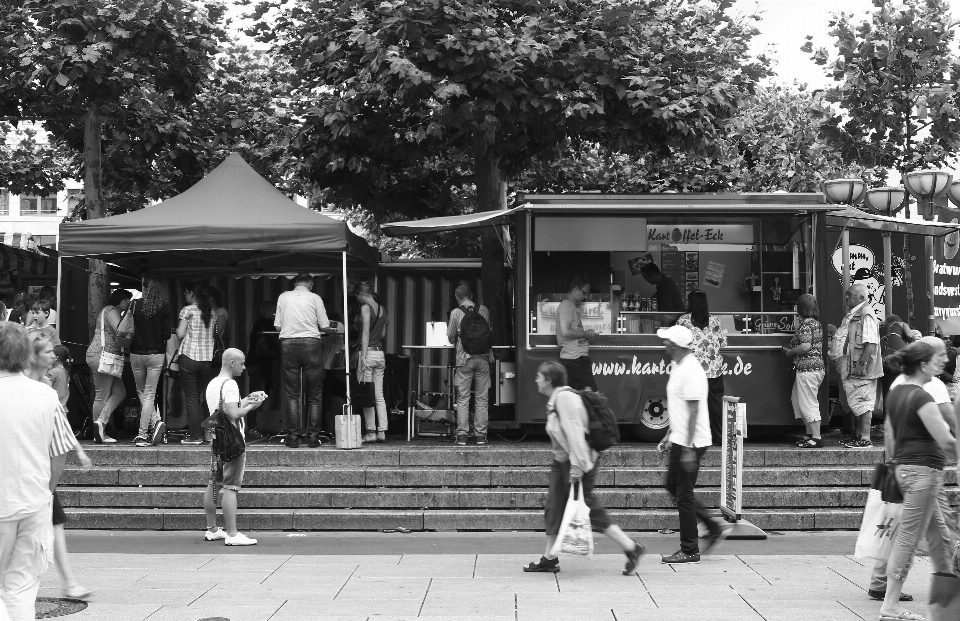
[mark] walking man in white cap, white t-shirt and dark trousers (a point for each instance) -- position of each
(687, 441)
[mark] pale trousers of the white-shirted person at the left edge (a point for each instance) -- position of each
(20, 549)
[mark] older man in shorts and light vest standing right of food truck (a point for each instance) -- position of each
(856, 346)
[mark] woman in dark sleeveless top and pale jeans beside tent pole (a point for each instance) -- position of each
(373, 321)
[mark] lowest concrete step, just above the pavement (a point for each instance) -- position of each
(431, 520)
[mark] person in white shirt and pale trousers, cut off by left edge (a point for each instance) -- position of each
(34, 442)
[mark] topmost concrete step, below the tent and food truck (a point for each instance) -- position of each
(402, 454)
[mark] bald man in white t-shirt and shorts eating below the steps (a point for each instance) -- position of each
(228, 476)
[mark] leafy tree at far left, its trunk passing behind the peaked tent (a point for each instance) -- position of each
(74, 63)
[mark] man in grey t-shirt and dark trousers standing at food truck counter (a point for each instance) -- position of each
(573, 340)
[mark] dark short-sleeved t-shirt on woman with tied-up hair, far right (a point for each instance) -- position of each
(914, 446)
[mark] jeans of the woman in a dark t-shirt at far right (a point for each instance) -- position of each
(921, 517)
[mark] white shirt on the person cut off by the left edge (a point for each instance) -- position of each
(31, 432)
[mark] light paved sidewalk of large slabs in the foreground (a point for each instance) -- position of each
(239, 585)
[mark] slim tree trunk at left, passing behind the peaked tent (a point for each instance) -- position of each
(98, 279)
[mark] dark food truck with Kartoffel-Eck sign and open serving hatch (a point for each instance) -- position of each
(752, 254)
